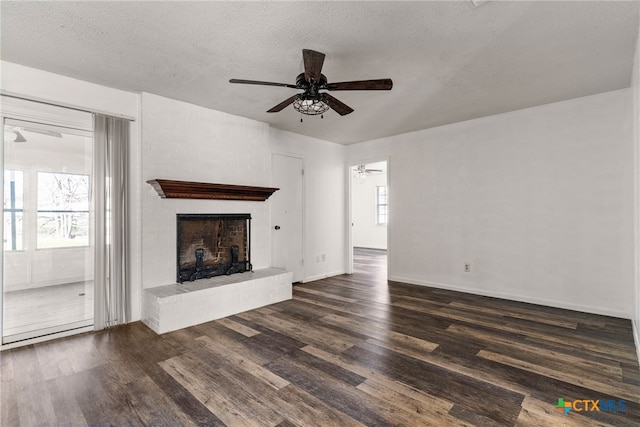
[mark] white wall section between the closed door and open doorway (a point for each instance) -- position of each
(324, 205)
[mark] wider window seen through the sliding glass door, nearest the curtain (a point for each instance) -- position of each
(63, 210)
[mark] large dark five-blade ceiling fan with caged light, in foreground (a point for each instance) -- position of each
(311, 101)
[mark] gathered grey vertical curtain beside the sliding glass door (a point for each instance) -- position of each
(111, 139)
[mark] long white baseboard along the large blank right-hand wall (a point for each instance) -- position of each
(513, 297)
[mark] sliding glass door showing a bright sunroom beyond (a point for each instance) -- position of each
(48, 251)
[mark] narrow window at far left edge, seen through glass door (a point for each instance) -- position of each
(13, 210)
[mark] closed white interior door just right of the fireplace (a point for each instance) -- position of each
(286, 215)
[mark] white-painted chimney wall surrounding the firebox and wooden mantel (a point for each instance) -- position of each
(185, 142)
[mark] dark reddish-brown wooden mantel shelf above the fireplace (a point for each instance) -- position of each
(168, 189)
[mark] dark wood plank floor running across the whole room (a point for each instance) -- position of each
(348, 350)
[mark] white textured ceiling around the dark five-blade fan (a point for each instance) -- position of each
(449, 61)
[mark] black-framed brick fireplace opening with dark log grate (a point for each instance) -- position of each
(211, 245)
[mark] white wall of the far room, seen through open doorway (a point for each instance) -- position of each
(366, 232)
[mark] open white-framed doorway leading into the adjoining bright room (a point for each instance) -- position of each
(368, 208)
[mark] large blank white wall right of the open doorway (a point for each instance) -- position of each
(539, 201)
